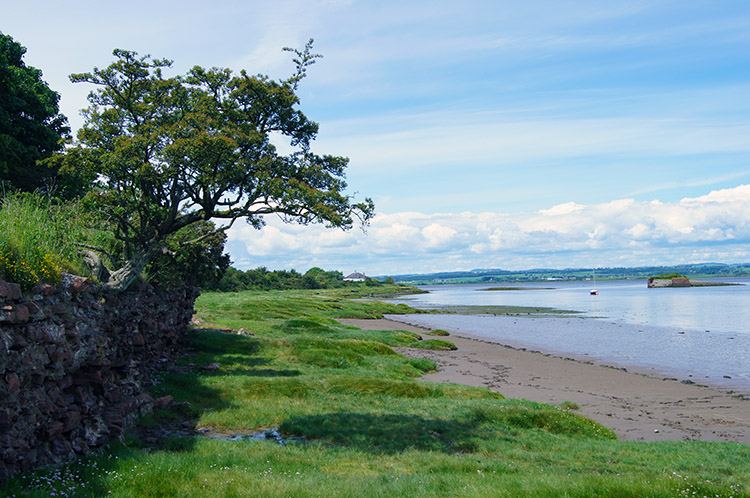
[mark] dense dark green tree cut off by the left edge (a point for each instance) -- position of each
(31, 127)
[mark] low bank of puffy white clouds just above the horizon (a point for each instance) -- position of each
(623, 232)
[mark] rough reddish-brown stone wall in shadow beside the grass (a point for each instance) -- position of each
(75, 363)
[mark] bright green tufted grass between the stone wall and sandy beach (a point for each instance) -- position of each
(368, 426)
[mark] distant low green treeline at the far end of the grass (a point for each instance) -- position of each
(235, 280)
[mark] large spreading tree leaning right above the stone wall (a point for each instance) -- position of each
(168, 152)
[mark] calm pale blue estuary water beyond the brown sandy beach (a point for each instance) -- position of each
(697, 334)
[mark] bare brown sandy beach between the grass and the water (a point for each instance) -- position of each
(636, 406)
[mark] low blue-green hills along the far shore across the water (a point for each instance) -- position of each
(702, 270)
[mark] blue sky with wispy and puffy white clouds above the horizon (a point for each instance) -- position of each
(490, 134)
